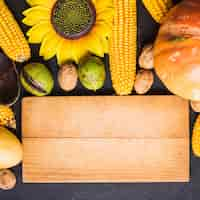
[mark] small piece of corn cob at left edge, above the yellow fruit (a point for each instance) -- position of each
(7, 117)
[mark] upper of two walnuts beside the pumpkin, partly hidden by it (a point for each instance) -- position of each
(146, 57)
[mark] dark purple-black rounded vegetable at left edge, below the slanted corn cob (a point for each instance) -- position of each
(9, 81)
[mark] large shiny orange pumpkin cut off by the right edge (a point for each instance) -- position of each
(177, 50)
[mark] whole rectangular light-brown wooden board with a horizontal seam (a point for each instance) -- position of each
(105, 139)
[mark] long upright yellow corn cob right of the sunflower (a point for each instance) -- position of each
(122, 47)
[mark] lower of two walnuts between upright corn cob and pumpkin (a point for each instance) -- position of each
(144, 81)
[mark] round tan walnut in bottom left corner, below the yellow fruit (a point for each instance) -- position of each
(7, 179)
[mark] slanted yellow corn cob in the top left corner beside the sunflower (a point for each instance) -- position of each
(12, 40)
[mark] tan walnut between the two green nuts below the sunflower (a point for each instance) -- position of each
(68, 77)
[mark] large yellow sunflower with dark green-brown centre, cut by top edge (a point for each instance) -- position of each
(69, 29)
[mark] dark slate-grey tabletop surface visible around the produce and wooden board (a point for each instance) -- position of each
(157, 191)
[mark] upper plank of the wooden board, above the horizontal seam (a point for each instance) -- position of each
(105, 117)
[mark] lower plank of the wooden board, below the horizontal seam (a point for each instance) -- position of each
(105, 160)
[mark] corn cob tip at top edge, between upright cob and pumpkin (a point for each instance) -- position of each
(158, 8)
